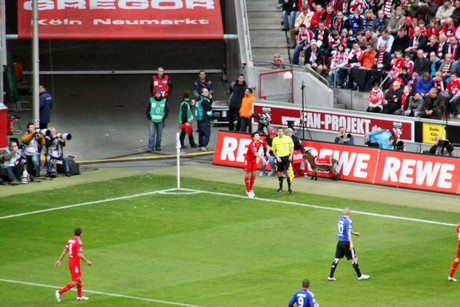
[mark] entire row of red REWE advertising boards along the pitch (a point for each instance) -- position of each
(362, 164)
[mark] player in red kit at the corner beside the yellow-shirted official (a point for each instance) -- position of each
(250, 161)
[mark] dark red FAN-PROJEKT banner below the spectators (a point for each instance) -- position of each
(331, 121)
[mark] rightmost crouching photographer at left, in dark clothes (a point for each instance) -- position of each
(54, 151)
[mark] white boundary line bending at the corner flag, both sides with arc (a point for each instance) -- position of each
(176, 191)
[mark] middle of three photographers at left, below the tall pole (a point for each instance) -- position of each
(34, 142)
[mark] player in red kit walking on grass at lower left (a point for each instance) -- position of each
(75, 248)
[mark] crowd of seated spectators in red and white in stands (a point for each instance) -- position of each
(409, 48)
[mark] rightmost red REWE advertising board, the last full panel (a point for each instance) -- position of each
(432, 173)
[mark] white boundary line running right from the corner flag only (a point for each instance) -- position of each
(395, 217)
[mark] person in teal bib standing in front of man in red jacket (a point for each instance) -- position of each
(157, 111)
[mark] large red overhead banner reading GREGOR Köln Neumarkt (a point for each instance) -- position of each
(123, 19)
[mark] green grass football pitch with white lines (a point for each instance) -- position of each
(208, 245)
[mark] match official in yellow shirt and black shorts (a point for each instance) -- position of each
(283, 149)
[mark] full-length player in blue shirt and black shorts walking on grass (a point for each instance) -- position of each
(345, 246)
